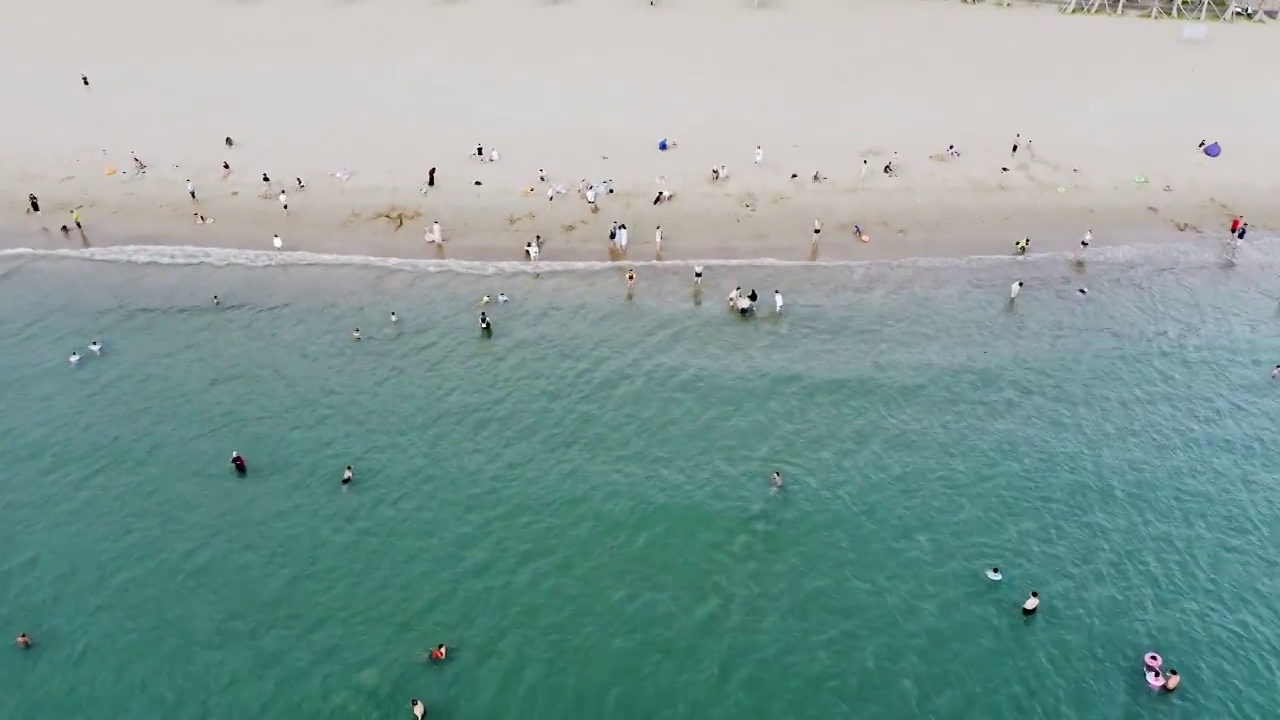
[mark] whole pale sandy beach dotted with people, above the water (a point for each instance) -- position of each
(388, 89)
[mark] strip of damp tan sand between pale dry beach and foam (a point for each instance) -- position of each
(950, 229)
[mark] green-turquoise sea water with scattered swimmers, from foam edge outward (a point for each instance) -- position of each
(580, 505)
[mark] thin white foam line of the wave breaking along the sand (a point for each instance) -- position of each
(1199, 253)
